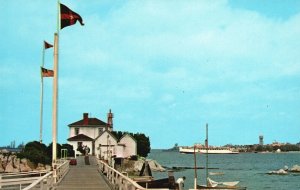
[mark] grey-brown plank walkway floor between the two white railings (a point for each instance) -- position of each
(83, 176)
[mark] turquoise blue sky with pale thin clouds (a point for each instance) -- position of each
(165, 68)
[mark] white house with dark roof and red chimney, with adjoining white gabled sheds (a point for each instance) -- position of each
(97, 136)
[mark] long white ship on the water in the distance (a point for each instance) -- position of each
(199, 148)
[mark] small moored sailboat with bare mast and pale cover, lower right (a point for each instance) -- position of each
(211, 184)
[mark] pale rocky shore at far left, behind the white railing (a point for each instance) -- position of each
(11, 164)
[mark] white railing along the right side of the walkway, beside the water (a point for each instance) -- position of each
(118, 180)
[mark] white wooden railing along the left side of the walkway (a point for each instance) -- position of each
(38, 180)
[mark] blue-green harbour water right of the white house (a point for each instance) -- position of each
(248, 168)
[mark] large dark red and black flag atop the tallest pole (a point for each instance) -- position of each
(68, 17)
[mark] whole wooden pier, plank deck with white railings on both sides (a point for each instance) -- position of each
(91, 174)
